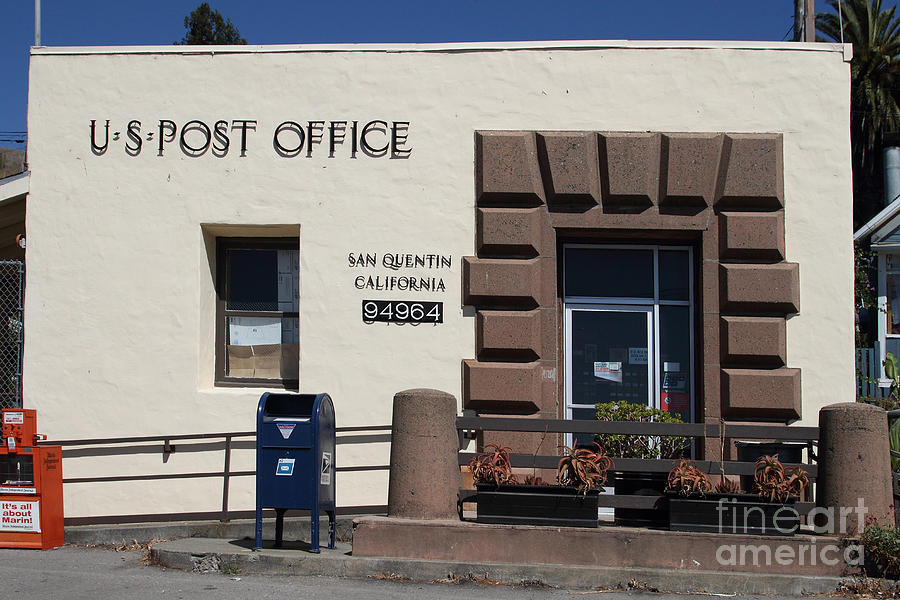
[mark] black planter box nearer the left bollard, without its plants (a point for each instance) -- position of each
(536, 505)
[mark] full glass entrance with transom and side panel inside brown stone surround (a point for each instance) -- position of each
(629, 328)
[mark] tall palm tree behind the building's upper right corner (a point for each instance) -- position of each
(874, 73)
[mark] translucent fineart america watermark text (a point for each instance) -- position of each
(734, 517)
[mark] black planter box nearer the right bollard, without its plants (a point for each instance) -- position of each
(723, 513)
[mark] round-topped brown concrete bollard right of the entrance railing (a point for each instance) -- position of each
(854, 467)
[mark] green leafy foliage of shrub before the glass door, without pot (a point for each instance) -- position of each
(639, 446)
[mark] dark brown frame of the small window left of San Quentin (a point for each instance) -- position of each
(223, 244)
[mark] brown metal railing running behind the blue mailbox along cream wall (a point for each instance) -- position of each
(198, 442)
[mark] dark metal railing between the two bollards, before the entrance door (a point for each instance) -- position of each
(710, 432)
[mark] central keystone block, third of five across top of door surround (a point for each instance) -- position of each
(629, 169)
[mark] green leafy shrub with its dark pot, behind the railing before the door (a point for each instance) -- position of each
(648, 447)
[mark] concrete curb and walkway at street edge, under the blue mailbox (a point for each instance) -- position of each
(227, 547)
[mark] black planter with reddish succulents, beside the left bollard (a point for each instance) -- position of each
(572, 503)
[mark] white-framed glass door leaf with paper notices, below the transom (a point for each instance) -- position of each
(608, 358)
